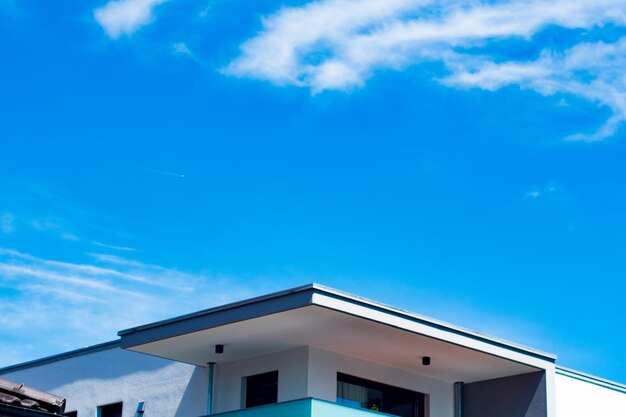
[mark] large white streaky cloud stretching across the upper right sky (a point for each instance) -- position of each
(339, 44)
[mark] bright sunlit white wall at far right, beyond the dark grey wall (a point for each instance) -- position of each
(580, 398)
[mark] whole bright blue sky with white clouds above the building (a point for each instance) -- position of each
(463, 160)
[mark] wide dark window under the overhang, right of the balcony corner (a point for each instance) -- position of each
(362, 393)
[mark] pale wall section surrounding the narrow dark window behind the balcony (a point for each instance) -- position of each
(292, 377)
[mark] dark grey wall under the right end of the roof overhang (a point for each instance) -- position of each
(514, 396)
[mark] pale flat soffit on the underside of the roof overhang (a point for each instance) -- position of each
(323, 328)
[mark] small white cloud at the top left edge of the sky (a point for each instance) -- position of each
(124, 17)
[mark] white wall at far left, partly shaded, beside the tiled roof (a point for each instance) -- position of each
(169, 389)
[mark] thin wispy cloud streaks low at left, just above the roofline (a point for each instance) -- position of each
(79, 303)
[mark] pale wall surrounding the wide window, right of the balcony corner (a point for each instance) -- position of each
(322, 380)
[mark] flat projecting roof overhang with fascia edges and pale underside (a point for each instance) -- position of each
(323, 318)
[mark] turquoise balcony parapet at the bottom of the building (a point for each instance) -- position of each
(306, 407)
